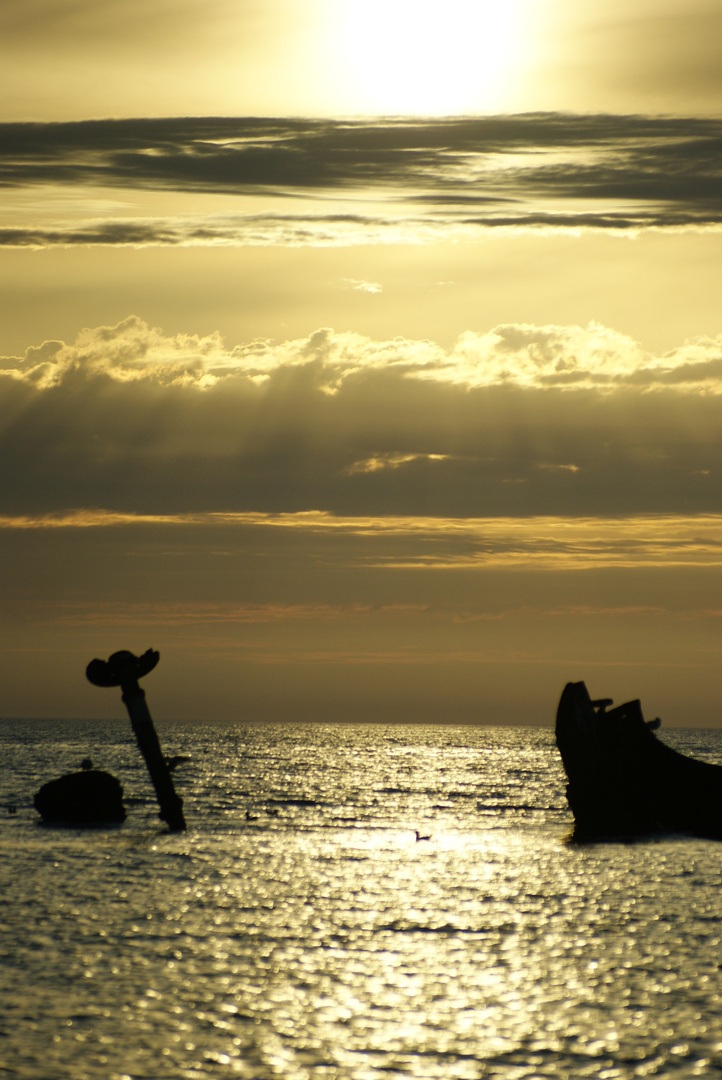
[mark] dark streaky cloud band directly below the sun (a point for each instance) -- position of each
(429, 178)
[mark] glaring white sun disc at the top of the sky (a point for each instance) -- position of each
(434, 58)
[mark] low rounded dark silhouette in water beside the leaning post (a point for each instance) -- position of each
(90, 798)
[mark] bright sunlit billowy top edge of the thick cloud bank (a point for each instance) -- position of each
(510, 356)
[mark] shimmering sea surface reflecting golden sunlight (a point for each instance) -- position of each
(321, 941)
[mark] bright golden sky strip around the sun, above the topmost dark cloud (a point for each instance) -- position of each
(67, 60)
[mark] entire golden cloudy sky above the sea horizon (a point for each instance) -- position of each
(364, 359)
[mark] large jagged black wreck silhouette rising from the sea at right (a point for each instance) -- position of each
(624, 782)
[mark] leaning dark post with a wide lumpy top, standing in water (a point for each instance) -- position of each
(125, 670)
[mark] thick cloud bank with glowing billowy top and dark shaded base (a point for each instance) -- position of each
(524, 421)
